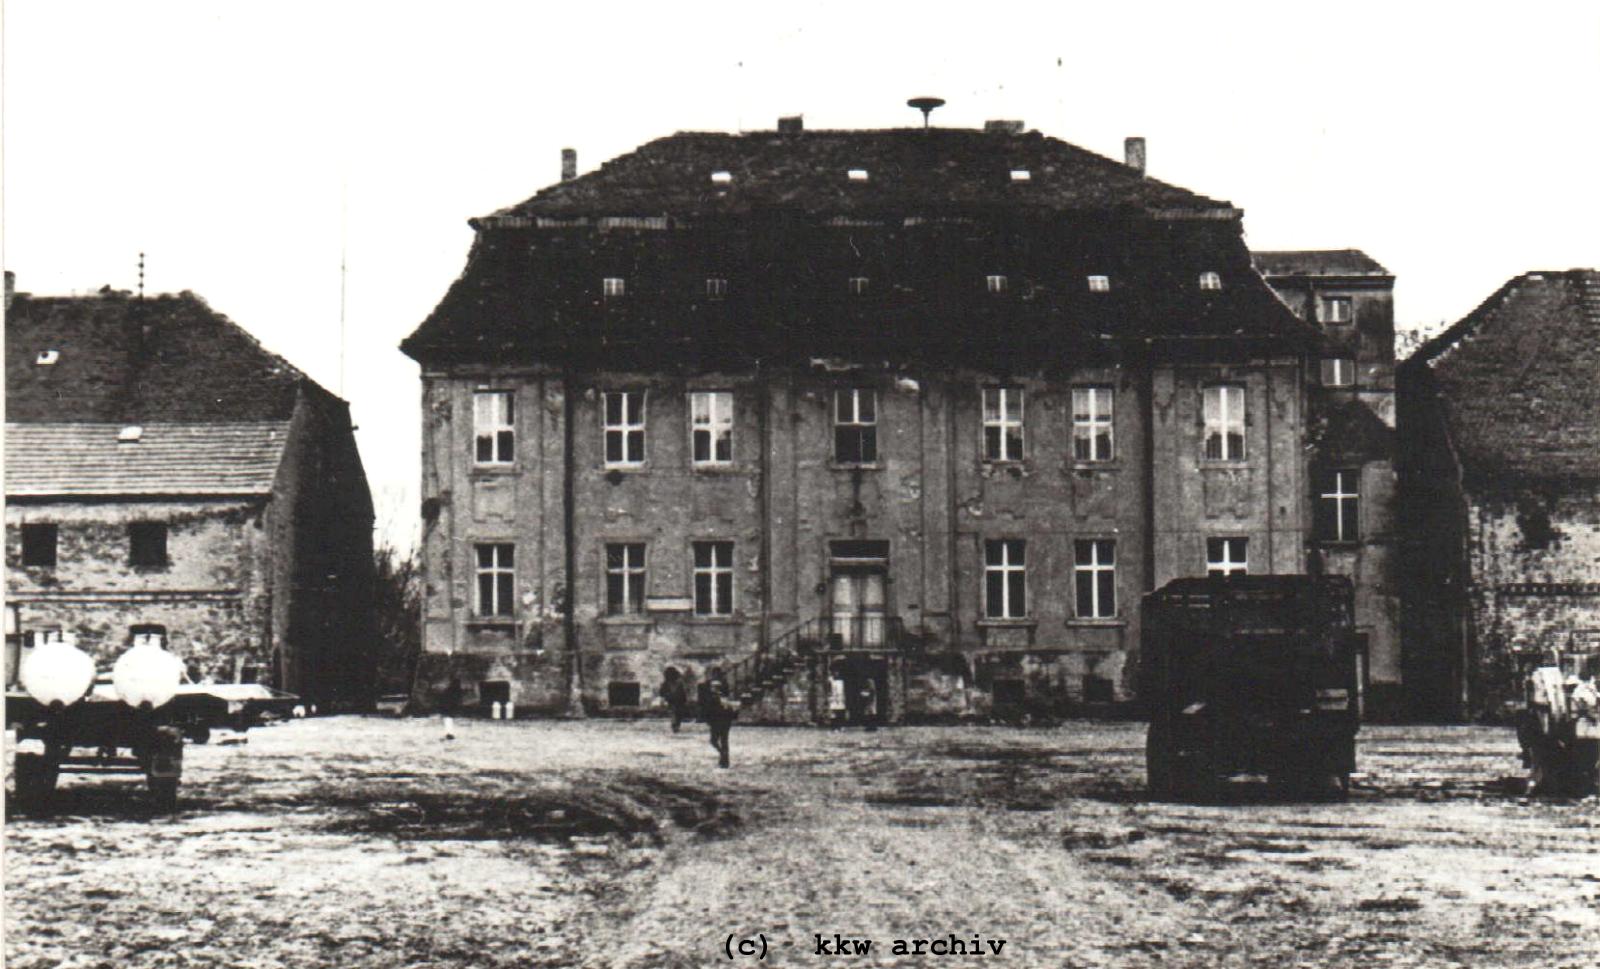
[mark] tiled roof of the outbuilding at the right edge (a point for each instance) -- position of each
(1519, 380)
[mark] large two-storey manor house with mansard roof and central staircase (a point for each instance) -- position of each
(938, 404)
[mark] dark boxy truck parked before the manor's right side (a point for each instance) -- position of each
(1250, 676)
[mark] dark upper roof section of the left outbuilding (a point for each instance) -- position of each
(122, 361)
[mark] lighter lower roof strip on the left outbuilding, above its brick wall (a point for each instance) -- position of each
(167, 460)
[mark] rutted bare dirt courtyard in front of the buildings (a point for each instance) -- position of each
(366, 842)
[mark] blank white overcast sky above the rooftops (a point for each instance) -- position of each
(238, 145)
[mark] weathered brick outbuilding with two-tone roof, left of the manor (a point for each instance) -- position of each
(167, 477)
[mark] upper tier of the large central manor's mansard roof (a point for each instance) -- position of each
(810, 172)
